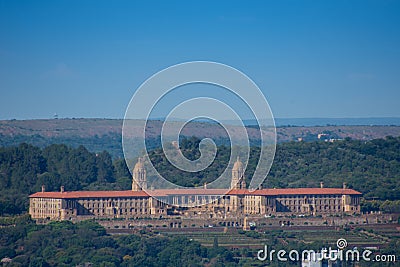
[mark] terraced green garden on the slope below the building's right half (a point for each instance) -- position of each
(376, 236)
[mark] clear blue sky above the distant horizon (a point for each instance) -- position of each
(310, 58)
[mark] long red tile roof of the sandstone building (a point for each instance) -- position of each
(195, 191)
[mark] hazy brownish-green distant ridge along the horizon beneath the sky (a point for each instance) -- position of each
(105, 134)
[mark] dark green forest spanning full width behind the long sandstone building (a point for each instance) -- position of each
(371, 167)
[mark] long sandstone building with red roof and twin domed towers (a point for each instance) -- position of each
(206, 203)
